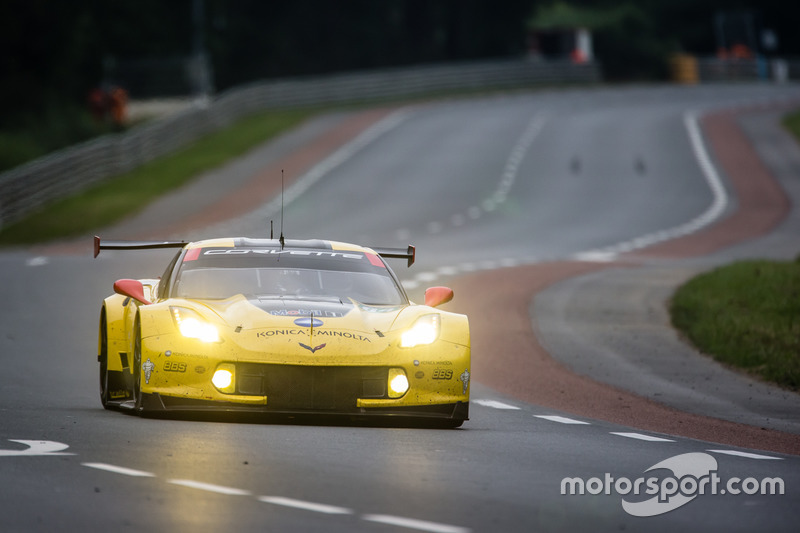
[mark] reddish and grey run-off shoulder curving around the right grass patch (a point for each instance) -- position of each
(599, 343)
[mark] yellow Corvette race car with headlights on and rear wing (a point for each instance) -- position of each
(281, 326)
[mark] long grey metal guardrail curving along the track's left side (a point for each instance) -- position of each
(31, 186)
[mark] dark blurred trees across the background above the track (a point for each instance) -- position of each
(53, 53)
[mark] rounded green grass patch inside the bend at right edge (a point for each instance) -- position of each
(747, 315)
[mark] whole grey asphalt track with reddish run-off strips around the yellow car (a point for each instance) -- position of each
(558, 217)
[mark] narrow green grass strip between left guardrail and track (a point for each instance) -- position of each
(109, 202)
